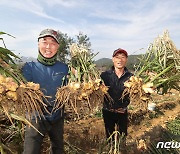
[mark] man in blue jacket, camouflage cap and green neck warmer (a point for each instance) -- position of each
(49, 73)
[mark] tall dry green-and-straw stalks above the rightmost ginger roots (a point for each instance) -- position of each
(161, 64)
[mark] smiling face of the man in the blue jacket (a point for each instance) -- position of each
(48, 46)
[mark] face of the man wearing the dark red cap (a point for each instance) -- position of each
(119, 60)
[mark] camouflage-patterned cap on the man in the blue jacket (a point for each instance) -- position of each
(50, 32)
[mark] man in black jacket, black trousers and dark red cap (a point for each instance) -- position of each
(115, 114)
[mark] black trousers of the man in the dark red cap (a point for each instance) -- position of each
(112, 119)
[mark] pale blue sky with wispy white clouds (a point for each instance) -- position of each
(110, 24)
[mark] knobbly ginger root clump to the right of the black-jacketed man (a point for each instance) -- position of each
(139, 92)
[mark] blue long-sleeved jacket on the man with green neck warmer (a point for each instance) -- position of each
(50, 78)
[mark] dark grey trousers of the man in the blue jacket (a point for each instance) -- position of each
(33, 139)
